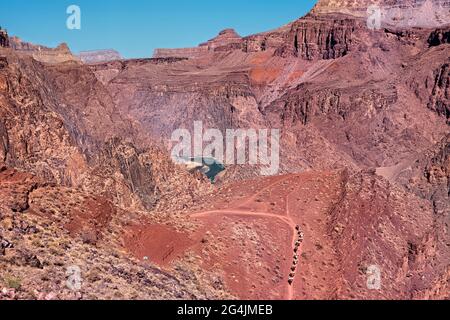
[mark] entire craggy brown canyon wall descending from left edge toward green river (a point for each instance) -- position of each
(59, 122)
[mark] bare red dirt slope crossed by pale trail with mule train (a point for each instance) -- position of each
(248, 235)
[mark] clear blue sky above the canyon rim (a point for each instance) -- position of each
(136, 27)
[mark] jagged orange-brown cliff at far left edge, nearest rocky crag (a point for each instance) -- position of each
(29, 129)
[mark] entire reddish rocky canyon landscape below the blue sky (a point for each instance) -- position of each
(86, 178)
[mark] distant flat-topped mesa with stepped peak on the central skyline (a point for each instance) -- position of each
(227, 40)
